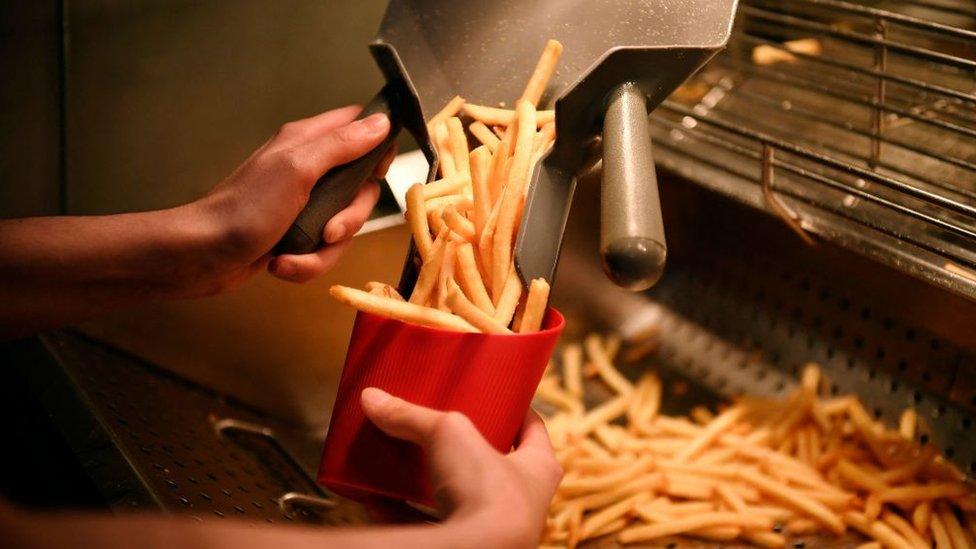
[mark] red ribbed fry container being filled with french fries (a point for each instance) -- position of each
(489, 378)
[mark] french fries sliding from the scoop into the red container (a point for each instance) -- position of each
(465, 223)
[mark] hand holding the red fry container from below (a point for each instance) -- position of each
(501, 499)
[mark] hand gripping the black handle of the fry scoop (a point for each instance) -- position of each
(247, 213)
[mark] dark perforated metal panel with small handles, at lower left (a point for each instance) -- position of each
(189, 449)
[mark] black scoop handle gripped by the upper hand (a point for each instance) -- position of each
(336, 189)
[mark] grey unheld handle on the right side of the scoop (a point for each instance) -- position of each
(632, 230)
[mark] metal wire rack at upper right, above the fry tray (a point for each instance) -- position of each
(869, 140)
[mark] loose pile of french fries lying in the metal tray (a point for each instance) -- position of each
(759, 471)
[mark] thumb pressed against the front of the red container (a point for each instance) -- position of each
(398, 418)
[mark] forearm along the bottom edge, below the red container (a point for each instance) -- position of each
(90, 531)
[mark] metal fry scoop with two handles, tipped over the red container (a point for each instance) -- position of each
(620, 59)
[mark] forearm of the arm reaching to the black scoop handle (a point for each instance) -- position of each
(57, 270)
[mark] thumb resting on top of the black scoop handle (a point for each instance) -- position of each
(346, 143)
